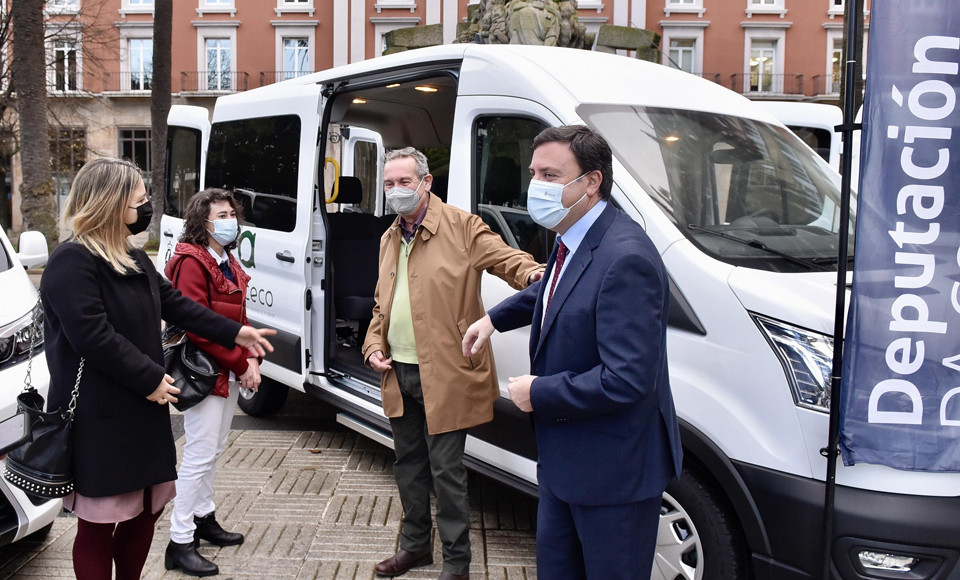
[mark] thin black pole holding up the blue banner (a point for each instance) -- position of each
(847, 129)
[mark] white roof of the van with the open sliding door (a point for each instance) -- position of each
(546, 75)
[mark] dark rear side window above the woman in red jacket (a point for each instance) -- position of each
(258, 160)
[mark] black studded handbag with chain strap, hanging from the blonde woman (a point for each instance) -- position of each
(43, 466)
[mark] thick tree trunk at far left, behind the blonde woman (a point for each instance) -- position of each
(29, 79)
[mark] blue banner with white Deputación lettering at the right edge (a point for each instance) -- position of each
(900, 401)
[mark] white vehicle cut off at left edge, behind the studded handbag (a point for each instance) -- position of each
(20, 514)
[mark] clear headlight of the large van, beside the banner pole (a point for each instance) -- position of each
(807, 359)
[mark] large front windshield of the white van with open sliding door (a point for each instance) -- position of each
(744, 192)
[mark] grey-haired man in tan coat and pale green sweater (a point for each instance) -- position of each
(431, 262)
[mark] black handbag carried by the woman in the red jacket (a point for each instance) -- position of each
(194, 371)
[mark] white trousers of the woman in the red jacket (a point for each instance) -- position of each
(206, 427)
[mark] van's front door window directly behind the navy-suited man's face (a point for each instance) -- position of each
(504, 147)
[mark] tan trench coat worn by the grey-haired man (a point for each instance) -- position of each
(451, 251)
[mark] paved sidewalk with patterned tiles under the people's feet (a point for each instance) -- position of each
(315, 501)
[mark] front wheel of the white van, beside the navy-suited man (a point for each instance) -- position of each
(698, 539)
